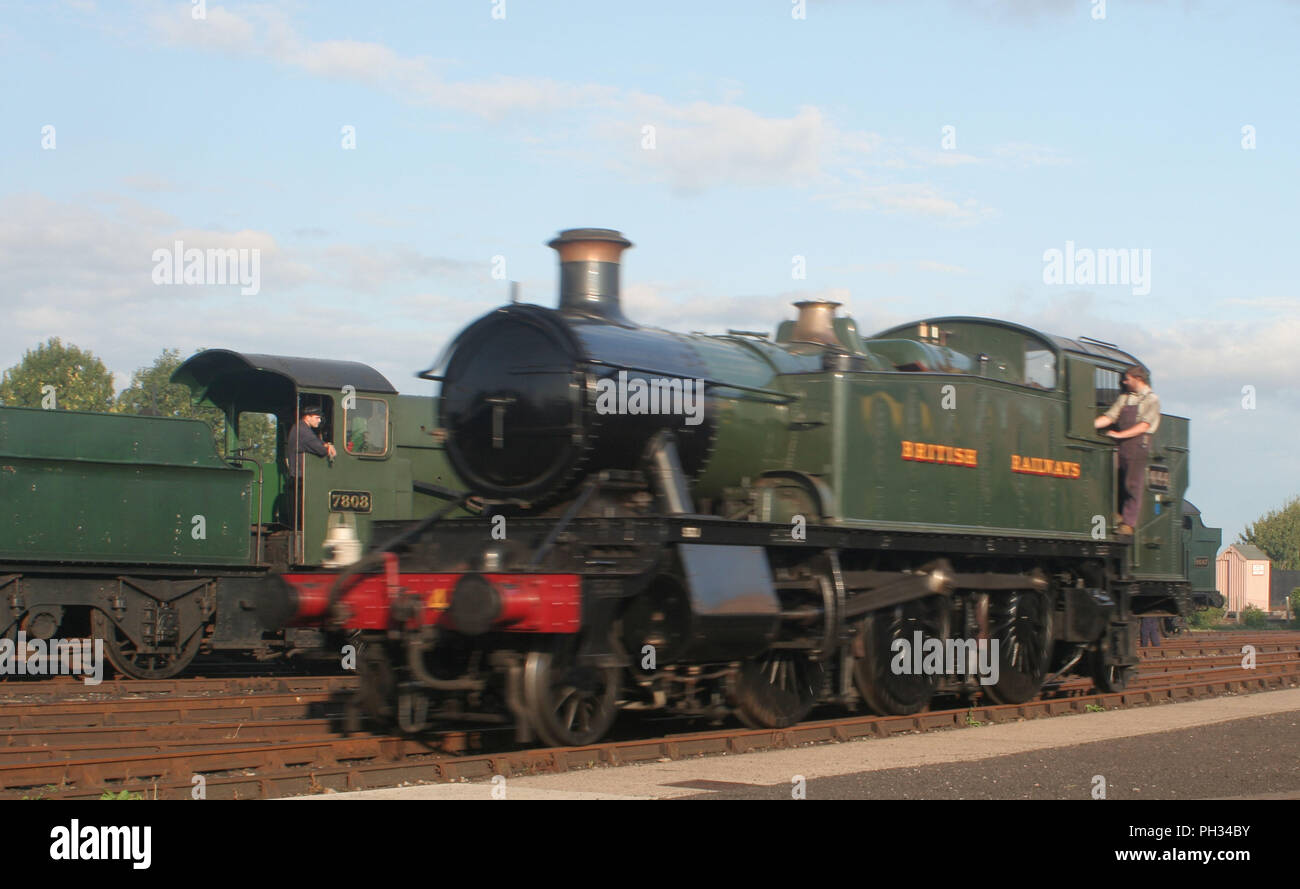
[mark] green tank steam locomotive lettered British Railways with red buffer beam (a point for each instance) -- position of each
(753, 526)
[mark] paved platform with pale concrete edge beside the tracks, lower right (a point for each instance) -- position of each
(1245, 747)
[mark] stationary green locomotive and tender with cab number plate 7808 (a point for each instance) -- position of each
(136, 531)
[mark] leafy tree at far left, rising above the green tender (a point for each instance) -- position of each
(60, 376)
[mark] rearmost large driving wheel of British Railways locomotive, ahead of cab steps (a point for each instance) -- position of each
(1021, 622)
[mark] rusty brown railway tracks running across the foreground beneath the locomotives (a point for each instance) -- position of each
(258, 738)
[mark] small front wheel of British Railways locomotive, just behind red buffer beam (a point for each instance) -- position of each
(567, 705)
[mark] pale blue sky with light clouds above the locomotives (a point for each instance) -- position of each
(396, 166)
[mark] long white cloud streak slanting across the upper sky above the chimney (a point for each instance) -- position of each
(697, 145)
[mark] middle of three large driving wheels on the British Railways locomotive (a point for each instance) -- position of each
(886, 692)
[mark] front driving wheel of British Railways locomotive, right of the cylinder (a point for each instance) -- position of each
(778, 688)
